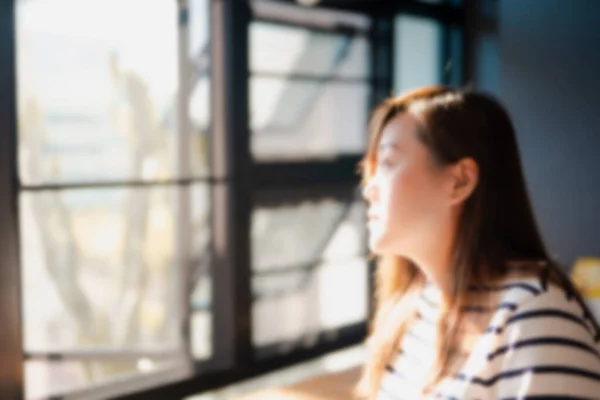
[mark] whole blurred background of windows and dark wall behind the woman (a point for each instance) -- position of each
(180, 214)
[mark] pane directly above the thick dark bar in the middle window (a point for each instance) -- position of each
(300, 120)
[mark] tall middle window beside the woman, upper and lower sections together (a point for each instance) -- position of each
(311, 88)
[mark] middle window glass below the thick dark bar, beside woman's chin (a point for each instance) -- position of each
(300, 254)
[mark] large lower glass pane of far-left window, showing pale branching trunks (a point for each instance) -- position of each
(101, 266)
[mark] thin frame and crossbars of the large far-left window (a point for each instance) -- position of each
(129, 383)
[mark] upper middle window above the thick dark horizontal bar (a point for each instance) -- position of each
(309, 90)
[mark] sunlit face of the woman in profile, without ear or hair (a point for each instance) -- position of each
(408, 193)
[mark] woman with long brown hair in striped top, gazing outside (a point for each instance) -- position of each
(469, 305)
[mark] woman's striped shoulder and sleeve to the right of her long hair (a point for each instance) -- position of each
(543, 341)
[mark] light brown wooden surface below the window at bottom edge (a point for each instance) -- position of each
(338, 386)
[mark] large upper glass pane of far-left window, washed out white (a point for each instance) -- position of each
(97, 99)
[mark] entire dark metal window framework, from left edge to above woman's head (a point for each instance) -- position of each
(238, 184)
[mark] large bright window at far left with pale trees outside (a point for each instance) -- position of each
(114, 196)
